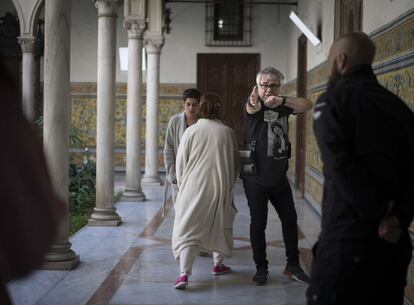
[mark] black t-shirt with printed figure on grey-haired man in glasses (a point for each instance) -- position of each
(270, 128)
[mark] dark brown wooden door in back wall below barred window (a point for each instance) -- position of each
(231, 77)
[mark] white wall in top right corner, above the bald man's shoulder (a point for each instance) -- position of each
(377, 13)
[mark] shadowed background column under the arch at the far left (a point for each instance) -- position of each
(28, 44)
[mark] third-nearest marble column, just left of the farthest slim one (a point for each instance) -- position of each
(133, 189)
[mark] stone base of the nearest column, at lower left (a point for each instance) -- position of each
(60, 257)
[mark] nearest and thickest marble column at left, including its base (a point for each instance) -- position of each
(56, 120)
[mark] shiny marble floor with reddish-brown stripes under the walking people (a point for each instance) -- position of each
(132, 264)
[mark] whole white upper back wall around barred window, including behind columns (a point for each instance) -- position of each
(186, 39)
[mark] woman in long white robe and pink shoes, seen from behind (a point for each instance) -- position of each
(207, 168)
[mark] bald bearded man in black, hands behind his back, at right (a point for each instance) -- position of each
(365, 135)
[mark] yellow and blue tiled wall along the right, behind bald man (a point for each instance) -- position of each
(394, 67)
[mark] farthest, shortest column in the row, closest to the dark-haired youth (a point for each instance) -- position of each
(153, 45)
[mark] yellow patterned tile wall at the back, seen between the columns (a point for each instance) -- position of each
(83, 116)
